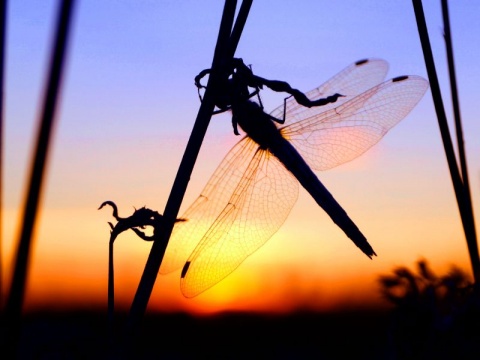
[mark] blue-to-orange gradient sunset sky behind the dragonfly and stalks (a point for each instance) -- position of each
(127, 109)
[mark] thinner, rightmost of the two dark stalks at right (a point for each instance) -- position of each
(456, 112)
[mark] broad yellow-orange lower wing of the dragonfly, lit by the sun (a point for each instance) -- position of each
(257, 208)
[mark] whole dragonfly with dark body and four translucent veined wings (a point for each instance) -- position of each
(254, 188)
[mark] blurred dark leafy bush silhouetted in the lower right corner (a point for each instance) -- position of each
(434, 316)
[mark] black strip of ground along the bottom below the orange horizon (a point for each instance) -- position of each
(307, 335)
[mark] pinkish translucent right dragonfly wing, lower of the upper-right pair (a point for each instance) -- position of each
(338, 135)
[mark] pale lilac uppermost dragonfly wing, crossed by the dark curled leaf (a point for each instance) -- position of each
(350, 82)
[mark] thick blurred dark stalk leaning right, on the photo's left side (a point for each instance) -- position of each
(17, 291)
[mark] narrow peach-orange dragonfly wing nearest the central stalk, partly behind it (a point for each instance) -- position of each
(203, 211)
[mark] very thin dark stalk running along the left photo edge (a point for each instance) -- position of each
(3, 29)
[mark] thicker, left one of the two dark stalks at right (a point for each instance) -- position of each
(467, 220)
